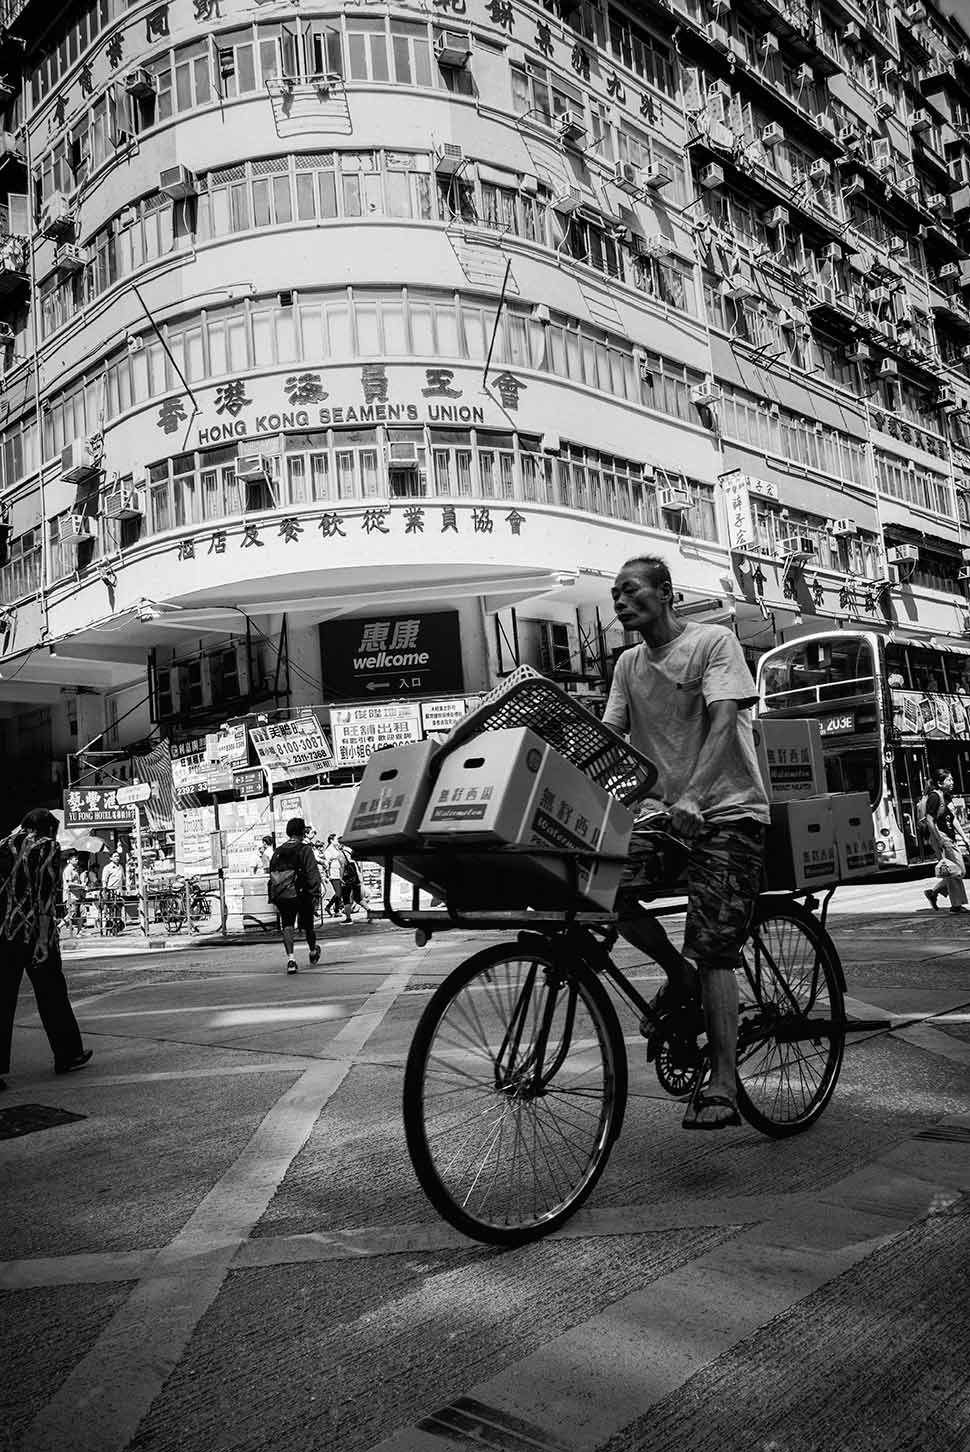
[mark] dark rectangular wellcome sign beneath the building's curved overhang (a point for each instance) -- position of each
(393, 656)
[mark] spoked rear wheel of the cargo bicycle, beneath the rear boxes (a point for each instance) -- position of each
(792, 1032)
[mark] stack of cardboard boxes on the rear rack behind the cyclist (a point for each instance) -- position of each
(817, 837)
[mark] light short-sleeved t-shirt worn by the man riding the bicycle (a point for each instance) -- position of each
(661, 701)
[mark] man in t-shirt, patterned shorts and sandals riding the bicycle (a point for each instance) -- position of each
(682, 698)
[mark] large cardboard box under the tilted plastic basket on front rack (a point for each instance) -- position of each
(509, 788)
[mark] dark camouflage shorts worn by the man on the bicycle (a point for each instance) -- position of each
(722, 875)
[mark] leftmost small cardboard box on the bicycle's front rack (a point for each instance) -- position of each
(391, 798)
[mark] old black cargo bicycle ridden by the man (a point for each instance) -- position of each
(516, 1080)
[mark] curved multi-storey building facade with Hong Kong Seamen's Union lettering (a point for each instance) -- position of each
(417, 320)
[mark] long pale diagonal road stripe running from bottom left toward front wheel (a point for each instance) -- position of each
(101, 1405)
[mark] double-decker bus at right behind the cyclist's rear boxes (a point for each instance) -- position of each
(891, 712)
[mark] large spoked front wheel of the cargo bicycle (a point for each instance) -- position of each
(515, 1093)
